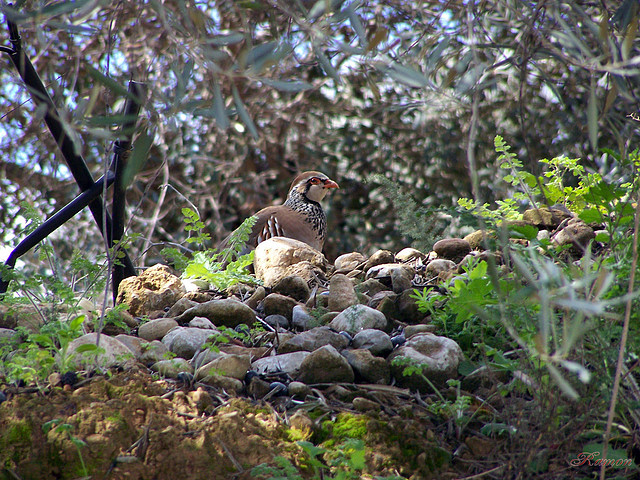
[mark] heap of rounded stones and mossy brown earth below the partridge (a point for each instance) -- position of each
(210, 385)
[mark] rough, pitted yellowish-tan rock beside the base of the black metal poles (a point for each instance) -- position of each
(155, 289)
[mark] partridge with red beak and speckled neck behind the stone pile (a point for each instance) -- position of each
(300, 217)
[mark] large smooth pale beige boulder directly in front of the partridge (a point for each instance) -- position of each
(276, 257)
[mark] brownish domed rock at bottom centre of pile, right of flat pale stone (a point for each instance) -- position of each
(325, 365)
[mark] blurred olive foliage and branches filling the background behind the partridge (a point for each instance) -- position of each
(243, 94)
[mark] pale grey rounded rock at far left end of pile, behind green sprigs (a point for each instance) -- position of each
(116, 353)
